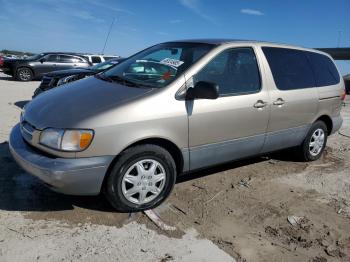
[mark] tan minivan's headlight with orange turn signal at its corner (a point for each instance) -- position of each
(72, 140)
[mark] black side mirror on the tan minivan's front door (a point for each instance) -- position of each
(203, 90)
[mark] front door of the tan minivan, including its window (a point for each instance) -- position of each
(234, 125)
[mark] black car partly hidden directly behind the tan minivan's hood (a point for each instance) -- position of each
(57, 78)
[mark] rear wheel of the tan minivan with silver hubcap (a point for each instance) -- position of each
(315, 142)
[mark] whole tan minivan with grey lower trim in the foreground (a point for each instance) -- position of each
(174, 108)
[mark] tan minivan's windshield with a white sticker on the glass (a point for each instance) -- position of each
(159, 65)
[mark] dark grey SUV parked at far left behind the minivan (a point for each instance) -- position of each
(36, 66)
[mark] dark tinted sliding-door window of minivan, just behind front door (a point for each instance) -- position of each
(290, 68)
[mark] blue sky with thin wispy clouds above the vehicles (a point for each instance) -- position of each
(82, 25)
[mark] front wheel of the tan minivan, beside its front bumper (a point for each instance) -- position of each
(141, 179)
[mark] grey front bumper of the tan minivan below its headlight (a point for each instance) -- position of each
(73, 176)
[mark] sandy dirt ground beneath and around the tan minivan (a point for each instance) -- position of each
(270, 208)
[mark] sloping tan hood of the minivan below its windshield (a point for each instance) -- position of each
(67, 106)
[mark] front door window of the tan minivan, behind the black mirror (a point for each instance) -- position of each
(235, 71)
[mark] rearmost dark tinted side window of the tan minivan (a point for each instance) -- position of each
(324, 69)
